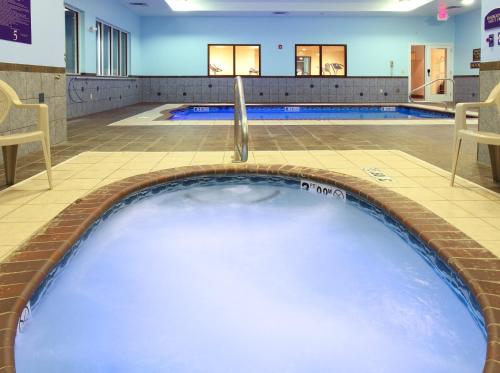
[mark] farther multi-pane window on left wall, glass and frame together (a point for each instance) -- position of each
(112, 51)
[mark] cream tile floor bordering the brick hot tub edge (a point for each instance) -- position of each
(28, 206)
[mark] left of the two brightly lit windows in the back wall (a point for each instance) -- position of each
(231, 60)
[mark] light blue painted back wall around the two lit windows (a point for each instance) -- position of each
(178, 45)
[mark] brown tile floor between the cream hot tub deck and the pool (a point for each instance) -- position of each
(431, 143)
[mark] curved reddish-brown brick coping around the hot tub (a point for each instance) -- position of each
(25, 269)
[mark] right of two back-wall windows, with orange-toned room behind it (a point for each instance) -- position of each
(321, 60)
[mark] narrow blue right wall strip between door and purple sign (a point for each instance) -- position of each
(467, 38)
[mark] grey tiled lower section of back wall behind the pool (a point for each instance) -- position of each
(276, 90)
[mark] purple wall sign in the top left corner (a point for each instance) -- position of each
(15, 21)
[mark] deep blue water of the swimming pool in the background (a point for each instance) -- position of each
(307, 112)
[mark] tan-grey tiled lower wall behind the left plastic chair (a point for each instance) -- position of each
(33, 88)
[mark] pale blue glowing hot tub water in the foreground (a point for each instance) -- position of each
(249, 275)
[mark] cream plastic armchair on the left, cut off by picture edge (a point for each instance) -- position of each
(9, 143)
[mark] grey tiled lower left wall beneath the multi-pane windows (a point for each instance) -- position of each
(88, 95)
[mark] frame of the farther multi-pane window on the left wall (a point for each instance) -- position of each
(101, 25)
